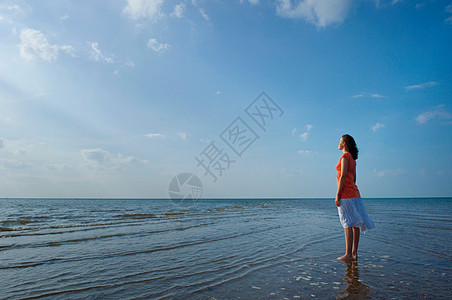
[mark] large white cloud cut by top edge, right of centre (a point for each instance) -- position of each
(319, 12)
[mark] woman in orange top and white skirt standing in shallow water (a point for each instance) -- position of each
(351, 210)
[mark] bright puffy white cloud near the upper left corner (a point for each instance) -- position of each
(35, 45)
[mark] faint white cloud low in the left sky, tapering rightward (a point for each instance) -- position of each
(101, 158)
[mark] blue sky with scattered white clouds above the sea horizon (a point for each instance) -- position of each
(115, 98)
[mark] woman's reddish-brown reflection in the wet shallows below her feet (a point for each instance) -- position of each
(355, 289)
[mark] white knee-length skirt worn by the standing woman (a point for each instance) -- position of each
(352, 213)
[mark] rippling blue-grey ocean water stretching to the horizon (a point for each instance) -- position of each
(221, 249)
